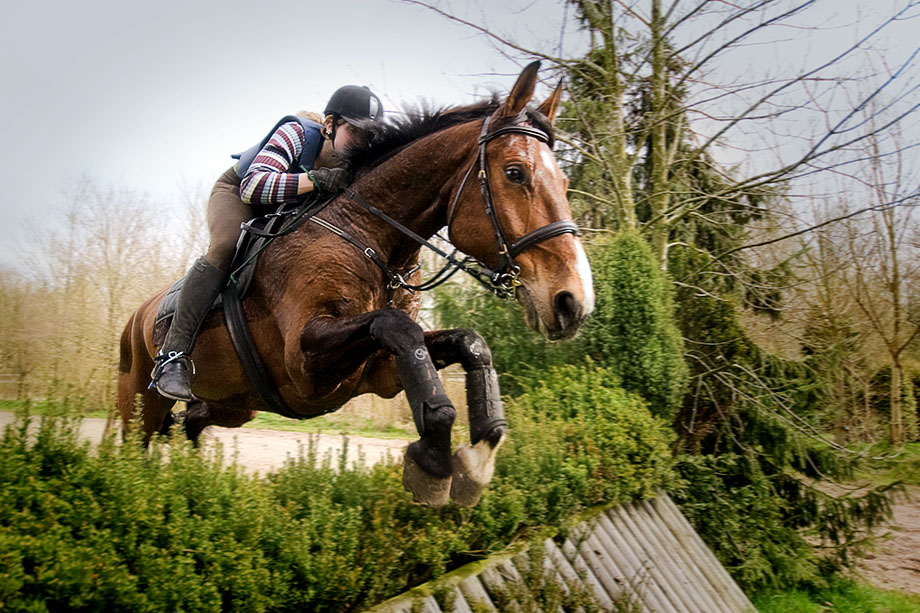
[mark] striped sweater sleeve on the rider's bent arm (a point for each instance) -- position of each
(269, 179)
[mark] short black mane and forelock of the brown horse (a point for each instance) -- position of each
(416, 122)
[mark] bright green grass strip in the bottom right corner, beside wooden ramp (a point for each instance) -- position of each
(842, 596)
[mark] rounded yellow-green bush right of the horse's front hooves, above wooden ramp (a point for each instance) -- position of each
(597, 442)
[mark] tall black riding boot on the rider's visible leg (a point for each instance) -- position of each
(174, 368)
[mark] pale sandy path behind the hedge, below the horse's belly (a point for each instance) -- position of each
(262, 451)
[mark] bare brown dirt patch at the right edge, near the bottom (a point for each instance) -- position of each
(896, 563)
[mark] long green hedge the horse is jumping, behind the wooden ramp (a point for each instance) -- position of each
(109, 529)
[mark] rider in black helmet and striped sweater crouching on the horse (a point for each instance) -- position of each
(300, 156)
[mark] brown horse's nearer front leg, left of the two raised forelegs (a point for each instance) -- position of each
(427, 467)
